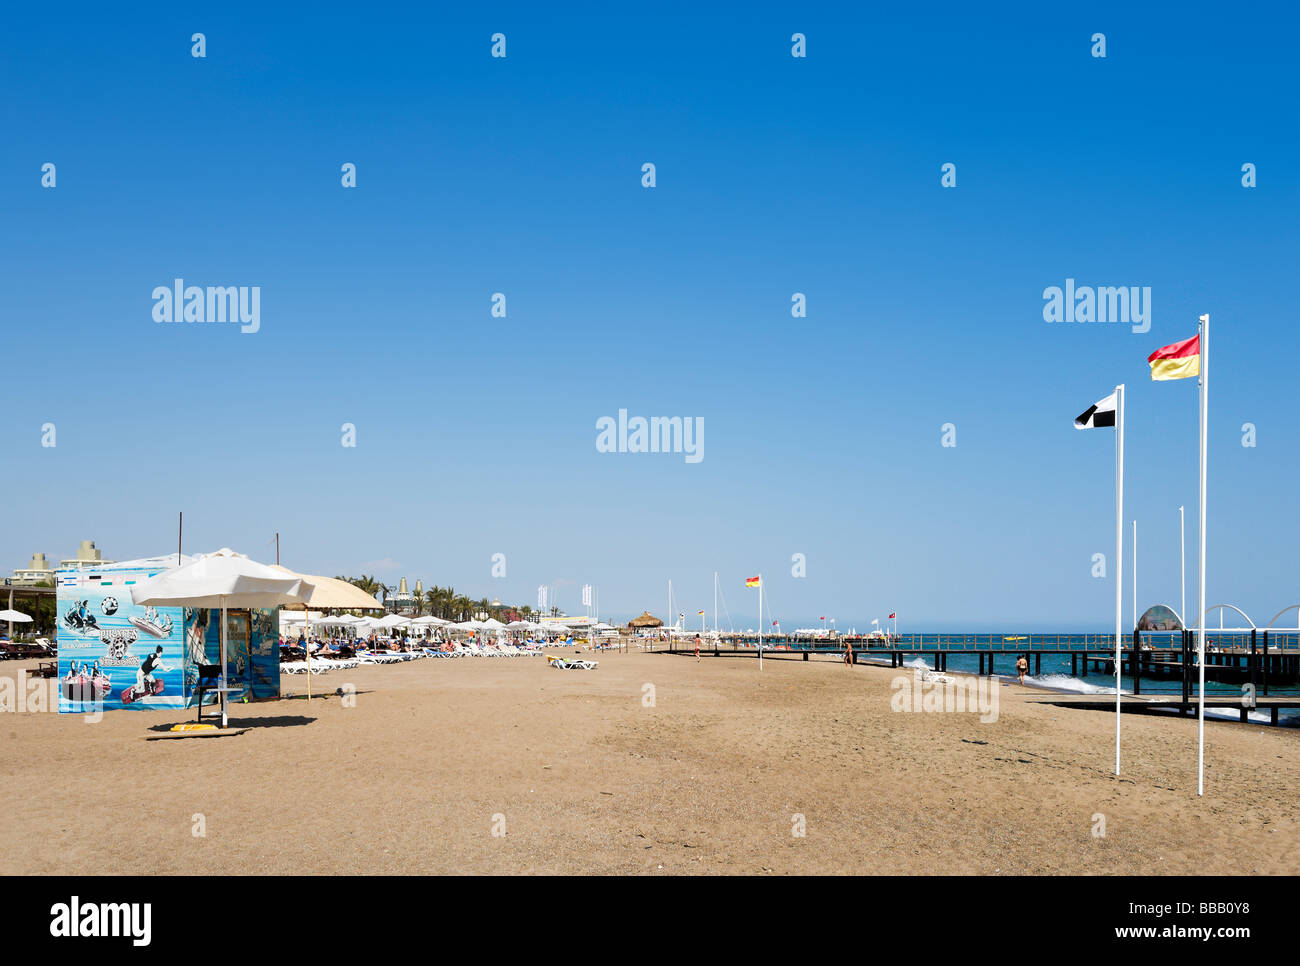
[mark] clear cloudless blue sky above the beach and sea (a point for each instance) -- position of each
(774, 176)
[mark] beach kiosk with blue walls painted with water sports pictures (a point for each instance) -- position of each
(137, 657)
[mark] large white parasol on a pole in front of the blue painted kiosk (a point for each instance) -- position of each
(224, 579)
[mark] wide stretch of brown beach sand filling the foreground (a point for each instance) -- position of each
(582, 777)
